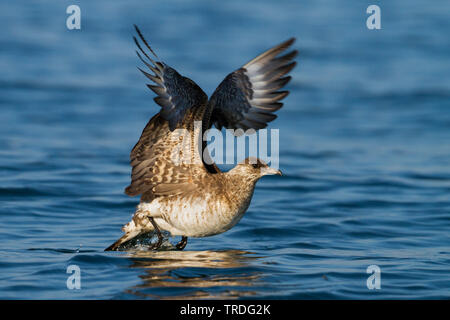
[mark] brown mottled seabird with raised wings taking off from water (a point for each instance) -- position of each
(194, 198)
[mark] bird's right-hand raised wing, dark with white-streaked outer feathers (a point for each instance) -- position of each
(247, 97)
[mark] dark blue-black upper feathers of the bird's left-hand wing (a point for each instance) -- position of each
(176, 94)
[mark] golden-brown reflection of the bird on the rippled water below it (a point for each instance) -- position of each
(230, 272)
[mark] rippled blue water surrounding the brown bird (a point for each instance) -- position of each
(364, 146)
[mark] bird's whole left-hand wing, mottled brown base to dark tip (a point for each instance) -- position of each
(162, 158)
